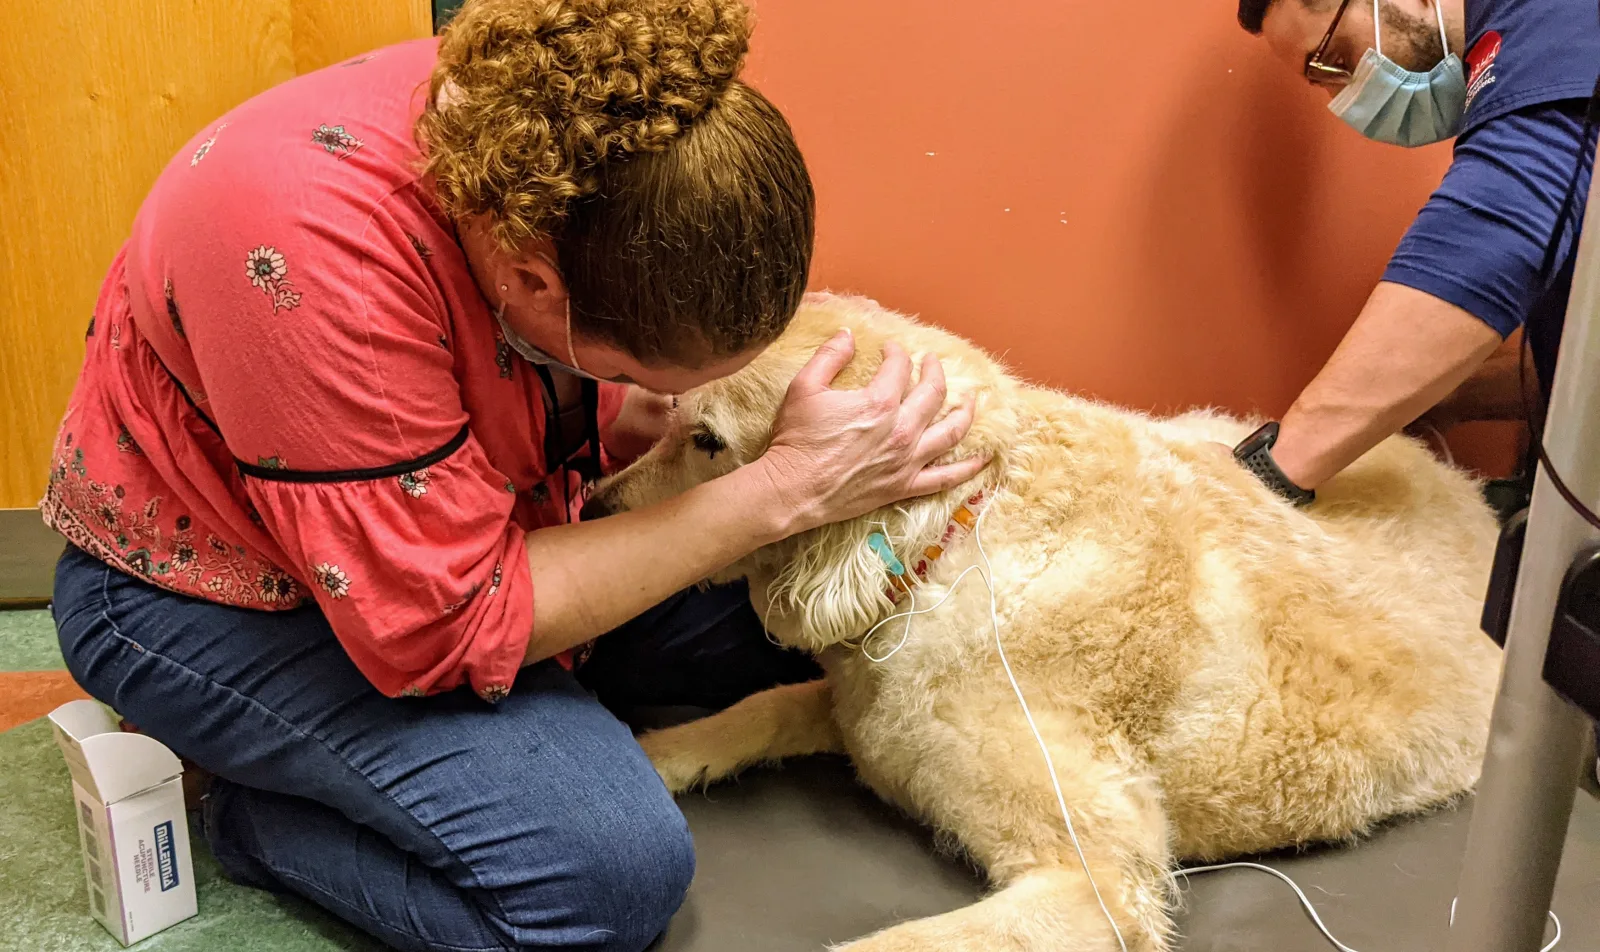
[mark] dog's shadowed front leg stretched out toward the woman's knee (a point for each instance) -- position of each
(791, 721)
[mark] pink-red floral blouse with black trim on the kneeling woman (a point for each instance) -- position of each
(294, 391)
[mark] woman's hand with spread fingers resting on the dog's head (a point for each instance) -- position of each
(842, 454)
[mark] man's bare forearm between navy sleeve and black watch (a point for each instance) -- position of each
(1402, 356)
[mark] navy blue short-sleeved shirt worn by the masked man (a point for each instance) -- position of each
(1481, 239)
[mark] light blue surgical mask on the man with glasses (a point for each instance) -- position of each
(1388, 103)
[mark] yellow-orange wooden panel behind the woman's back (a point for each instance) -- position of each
(98, 97)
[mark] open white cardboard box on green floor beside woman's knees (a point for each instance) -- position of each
(132, 828)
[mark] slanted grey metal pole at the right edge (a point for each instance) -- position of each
(1537, 740)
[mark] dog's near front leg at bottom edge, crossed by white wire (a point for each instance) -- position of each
(982, 777)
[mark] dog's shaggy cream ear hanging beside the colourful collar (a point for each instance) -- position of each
(836, 585)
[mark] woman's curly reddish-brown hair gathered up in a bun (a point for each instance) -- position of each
(678, 199)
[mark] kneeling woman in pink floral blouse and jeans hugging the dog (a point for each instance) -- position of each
(321, 476)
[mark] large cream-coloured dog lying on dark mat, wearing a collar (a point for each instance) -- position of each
(1215, 671)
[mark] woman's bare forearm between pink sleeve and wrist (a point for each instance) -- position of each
(590, 578)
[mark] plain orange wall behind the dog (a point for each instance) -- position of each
(1127, 201)
